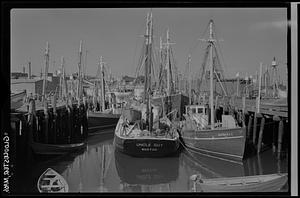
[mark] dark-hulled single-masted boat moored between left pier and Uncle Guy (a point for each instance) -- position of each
(104, 118)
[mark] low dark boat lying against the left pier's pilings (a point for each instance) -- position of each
(56, 149)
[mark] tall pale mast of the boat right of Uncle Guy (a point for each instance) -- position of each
(211, 40)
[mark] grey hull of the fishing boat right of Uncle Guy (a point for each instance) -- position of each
(219, 143)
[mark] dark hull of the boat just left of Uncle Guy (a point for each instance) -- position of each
(98, 121)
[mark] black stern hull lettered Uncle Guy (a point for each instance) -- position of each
(147, 147)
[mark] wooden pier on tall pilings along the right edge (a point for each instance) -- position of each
(258, 114)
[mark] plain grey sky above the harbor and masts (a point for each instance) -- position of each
(248, 36)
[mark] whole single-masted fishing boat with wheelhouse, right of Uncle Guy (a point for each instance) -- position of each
(205, 132)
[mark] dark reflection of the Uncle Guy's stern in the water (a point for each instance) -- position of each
(146, 174)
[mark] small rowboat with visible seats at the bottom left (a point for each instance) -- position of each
(52, 182)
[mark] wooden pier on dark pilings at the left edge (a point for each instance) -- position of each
(49, 126)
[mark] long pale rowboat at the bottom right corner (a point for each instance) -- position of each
(256, 183)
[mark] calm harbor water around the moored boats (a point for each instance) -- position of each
(99, 168)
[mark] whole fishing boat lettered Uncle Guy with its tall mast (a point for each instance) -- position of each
(141, 130)
